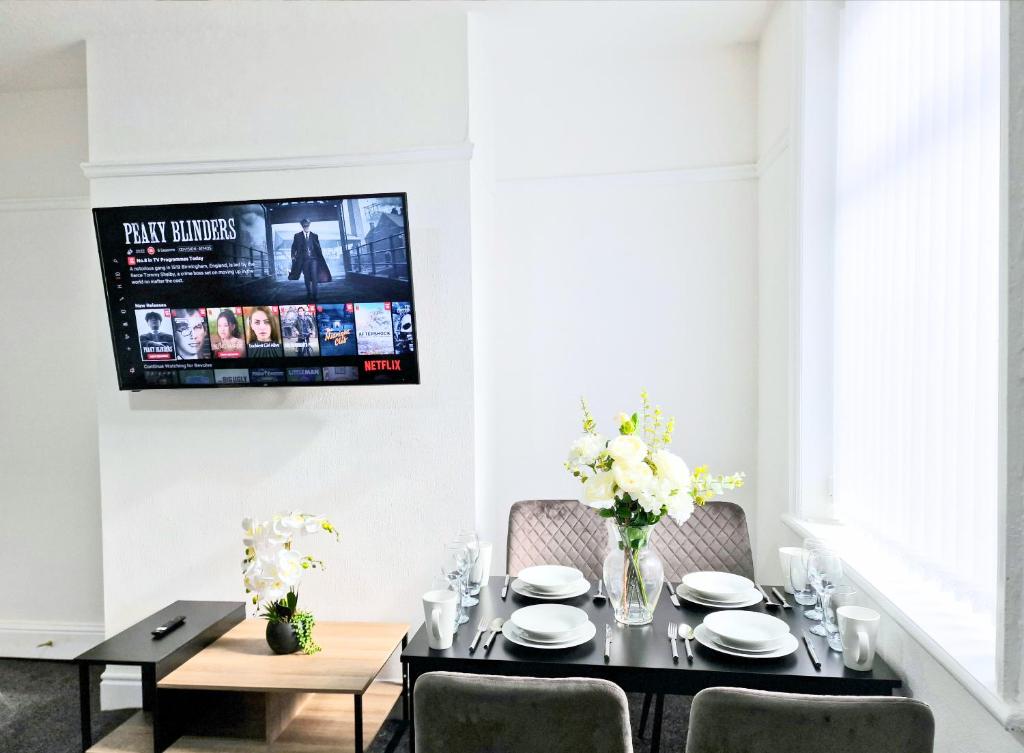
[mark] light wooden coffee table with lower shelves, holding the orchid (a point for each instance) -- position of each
(237, 695)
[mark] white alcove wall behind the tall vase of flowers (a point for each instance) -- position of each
(604, 262)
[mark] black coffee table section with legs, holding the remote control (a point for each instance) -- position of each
(205, 622)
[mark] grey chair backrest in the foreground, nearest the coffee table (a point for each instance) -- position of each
(470, 714)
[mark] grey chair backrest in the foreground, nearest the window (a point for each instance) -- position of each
(738, 721)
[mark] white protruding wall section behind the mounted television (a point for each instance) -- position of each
(391, 466)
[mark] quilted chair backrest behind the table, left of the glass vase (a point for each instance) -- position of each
(557, 532)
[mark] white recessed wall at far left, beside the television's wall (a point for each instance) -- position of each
(50, 504)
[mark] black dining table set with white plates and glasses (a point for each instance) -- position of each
(642, 657)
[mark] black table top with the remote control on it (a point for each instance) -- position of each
(137, 645)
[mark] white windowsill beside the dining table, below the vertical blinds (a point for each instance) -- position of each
(977, 653)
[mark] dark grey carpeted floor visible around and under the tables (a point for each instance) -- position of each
(39, 714)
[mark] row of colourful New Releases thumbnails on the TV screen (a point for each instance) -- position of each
(383, 328)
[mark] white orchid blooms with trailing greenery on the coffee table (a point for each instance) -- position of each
(273, 568)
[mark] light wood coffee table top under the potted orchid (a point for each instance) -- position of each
(353, 655)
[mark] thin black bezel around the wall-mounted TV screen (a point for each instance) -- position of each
(190, 388)
